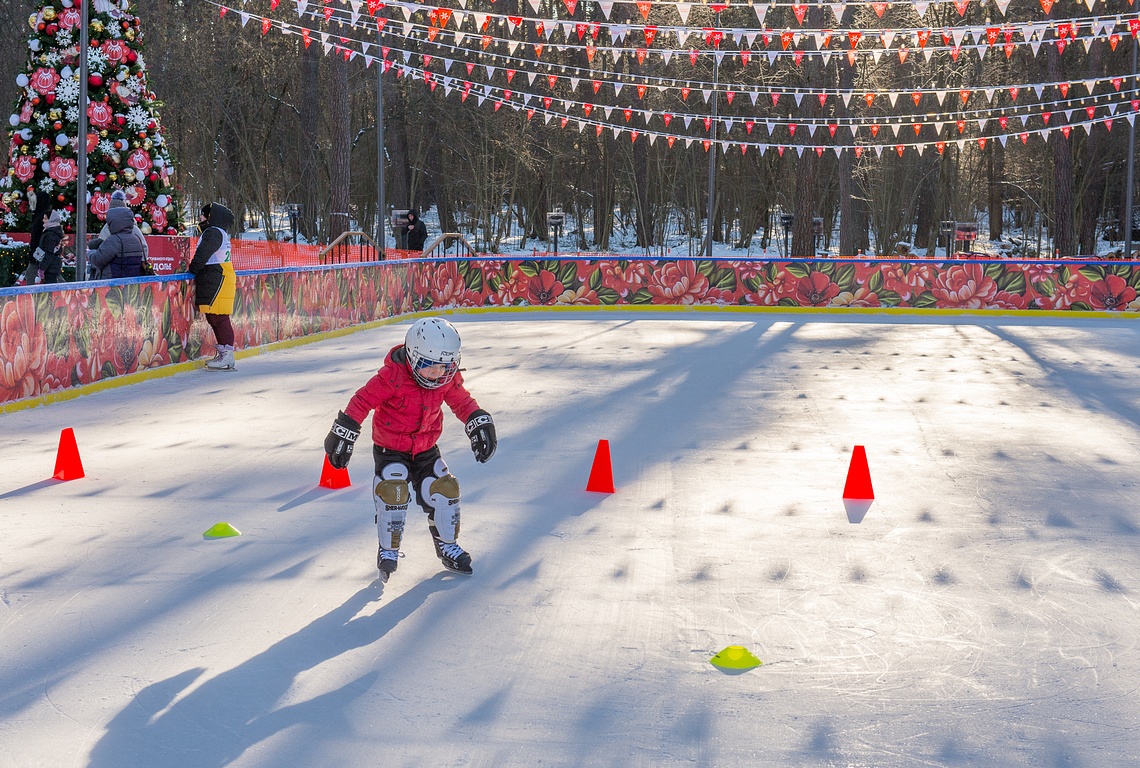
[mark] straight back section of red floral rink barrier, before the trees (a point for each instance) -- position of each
(962, 285)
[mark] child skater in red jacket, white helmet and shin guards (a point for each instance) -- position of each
(406, 398)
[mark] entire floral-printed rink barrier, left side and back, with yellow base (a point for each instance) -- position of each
(61, 342)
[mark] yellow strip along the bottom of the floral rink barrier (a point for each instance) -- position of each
(164, 372)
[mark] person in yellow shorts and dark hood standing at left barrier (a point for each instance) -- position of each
(215, 281)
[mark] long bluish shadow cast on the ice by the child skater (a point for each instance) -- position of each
(217, 722)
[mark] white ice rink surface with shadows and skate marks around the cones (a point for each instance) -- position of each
(983, 614)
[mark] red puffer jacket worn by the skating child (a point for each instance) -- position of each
(408, 418)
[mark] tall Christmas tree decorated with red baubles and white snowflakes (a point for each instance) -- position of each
(125, 143)
